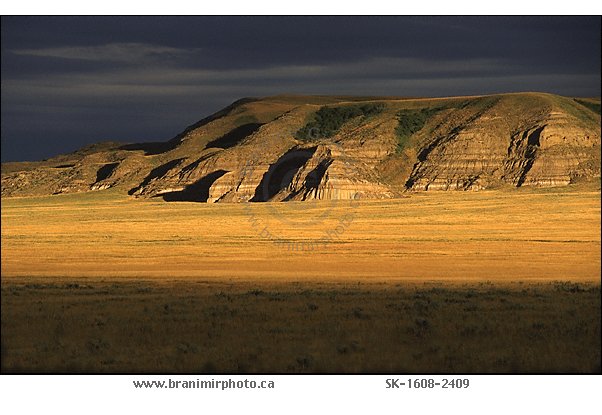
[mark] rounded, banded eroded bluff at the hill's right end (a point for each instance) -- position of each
(537, 140)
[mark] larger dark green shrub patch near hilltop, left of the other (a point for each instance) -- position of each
(327, 121)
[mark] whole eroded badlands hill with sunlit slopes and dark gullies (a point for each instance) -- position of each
(313, 147)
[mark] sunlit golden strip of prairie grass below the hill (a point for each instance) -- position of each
(495, 235)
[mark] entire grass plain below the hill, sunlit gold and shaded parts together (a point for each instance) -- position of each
(491, 281)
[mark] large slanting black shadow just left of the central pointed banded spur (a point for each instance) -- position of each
(280, 174)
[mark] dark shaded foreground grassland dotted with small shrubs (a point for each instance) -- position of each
(213, 326)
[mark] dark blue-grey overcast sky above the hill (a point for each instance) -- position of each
(72, 81)
